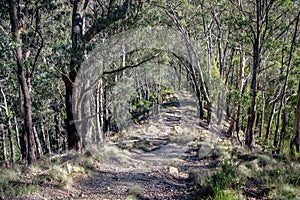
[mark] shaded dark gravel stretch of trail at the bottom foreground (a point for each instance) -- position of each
(143, 185)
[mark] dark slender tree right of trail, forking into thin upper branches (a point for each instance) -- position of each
(258, 31)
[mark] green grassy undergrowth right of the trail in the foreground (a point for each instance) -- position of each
(252, 175)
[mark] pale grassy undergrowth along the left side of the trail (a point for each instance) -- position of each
(57, 170)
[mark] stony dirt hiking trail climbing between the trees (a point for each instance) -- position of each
(151, 161)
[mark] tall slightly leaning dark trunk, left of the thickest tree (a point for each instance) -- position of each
(22, 80)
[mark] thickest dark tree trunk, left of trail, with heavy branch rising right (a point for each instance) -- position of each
(79, 40)
